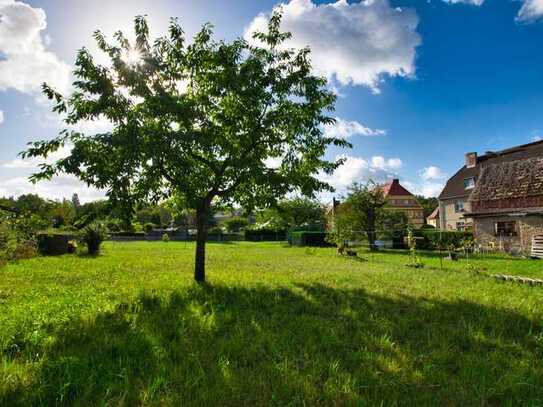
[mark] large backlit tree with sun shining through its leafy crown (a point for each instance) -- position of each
(198, 121)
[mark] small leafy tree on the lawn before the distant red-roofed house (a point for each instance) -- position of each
(360, 213)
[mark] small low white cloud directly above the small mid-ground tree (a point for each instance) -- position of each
(357, 169)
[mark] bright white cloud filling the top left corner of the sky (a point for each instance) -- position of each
(26, 63)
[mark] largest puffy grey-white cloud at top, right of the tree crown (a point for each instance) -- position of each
(355, 43)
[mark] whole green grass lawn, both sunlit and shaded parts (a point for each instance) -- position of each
(274, 326)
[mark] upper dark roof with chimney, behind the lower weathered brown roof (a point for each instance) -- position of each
(455, 188)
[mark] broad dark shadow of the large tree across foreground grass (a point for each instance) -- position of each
(311, 344)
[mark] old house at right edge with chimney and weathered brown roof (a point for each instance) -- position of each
(499, 195)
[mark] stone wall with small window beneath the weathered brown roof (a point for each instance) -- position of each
(527, 227)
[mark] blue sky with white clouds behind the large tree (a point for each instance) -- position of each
(419, 82)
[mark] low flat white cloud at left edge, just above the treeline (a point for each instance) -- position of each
(59, 187)
